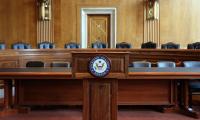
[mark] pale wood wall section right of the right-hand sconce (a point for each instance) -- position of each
(179, 21)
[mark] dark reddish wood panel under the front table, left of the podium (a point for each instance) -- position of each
(51, 92)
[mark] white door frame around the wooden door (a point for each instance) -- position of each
(100, 10)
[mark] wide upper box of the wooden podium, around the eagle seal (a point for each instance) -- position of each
(119, 63)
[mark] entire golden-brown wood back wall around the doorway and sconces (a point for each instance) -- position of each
(179, 21)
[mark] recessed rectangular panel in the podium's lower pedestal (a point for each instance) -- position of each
(100, 98)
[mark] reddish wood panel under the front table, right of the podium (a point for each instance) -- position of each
(142, 91)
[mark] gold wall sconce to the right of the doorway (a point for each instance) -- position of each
(152, 9)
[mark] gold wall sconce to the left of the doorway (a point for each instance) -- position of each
(44, 9)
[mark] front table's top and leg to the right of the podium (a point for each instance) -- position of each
(179, 73)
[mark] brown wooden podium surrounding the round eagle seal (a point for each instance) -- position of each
(100, 94)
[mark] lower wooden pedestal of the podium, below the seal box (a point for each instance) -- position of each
(100, 99)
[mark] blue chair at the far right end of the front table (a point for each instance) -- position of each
(194, 85)
